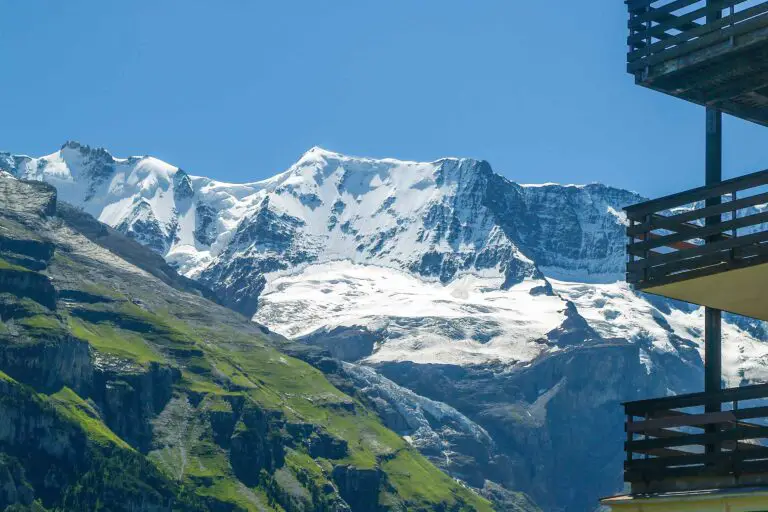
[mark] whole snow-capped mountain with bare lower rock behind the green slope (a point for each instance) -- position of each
(499, 307)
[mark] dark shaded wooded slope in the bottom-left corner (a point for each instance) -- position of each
(61, 465)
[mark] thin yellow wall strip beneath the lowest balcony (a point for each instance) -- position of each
(746, 502)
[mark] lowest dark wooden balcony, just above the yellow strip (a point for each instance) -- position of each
(698, 441)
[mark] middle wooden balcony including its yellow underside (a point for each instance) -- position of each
(706, 246)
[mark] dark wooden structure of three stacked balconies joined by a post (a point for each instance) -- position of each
(707, 246)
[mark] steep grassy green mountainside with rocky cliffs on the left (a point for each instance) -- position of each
(126, 389)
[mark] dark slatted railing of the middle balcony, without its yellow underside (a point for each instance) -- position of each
(699, 232)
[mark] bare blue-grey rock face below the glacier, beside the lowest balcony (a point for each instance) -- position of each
(539, 418)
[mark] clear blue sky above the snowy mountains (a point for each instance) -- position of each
(239, 89)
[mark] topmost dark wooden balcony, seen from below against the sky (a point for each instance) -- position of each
(712, 53)
